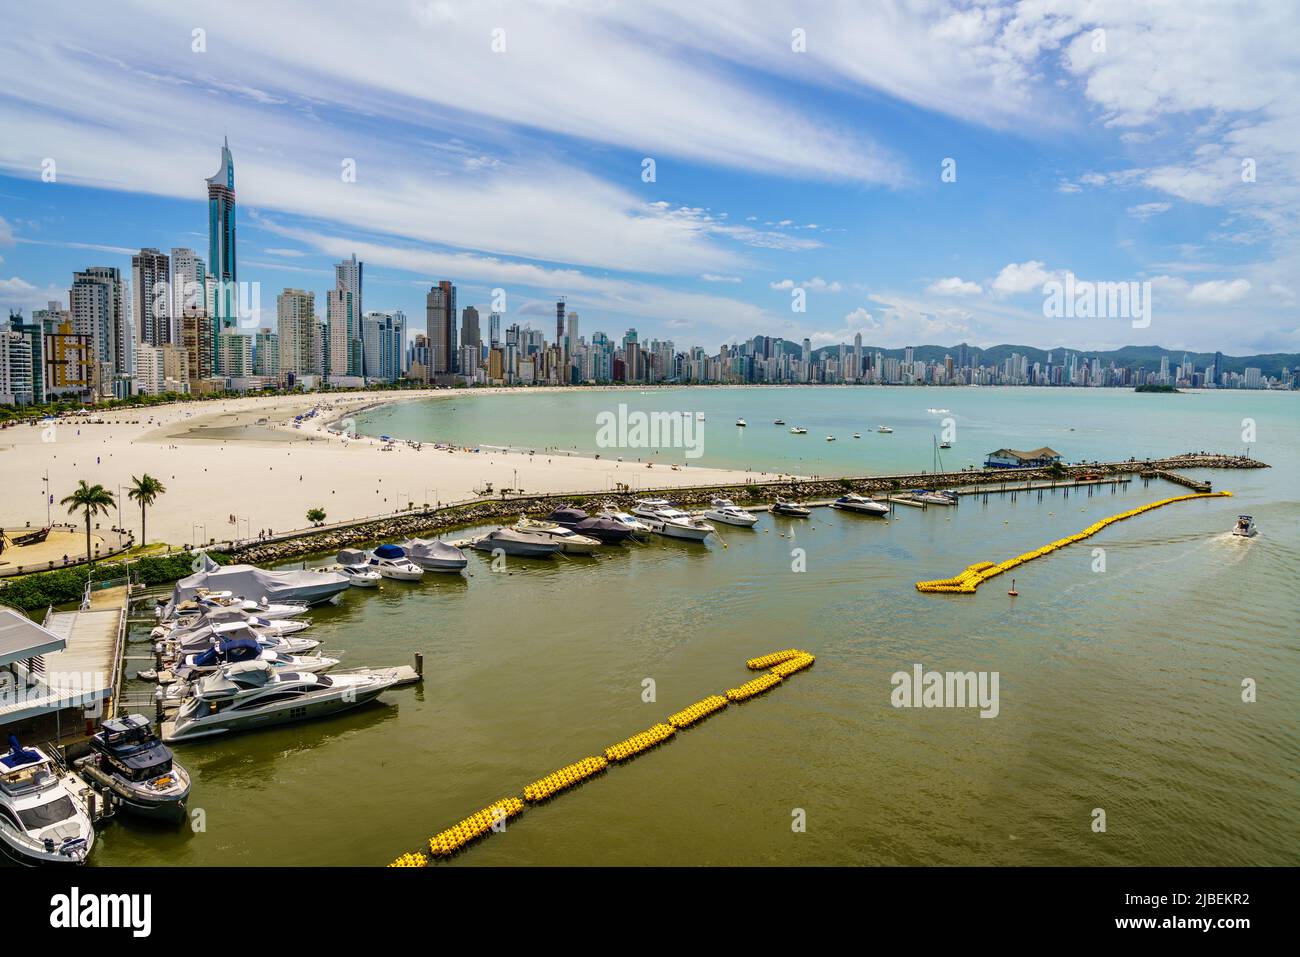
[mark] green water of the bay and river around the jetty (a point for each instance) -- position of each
(1117, 690)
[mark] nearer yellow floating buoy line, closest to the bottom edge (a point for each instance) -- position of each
(495, 816)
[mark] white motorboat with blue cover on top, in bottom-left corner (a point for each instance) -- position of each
(44, 819)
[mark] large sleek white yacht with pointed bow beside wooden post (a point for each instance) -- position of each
(255, 695)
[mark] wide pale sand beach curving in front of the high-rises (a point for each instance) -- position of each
(242, 460)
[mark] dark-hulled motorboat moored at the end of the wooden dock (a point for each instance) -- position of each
(129, 761)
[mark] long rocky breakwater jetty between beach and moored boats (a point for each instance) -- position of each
(423, 522)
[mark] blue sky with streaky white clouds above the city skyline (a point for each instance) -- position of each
(909, 171)
